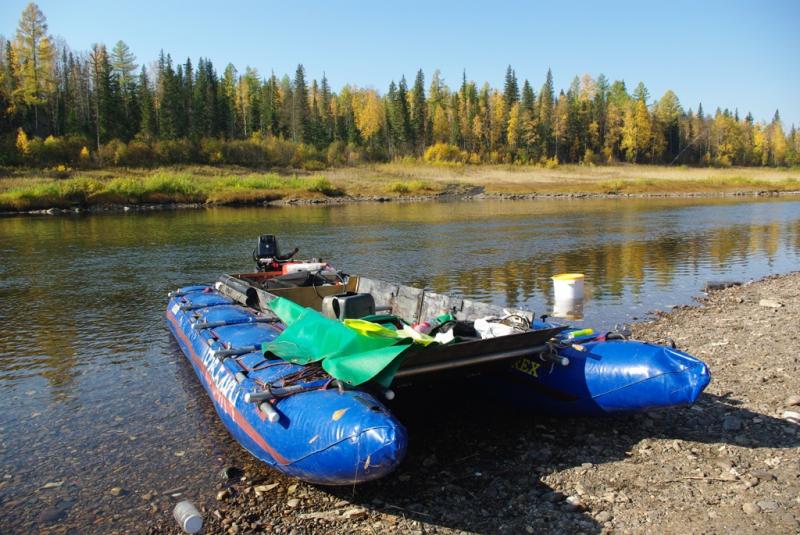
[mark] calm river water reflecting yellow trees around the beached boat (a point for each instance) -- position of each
(96, 395)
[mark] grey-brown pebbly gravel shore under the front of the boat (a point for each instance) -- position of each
(729, 464)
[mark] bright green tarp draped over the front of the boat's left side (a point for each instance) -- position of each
(346, 354)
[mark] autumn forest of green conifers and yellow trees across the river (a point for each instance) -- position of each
(101, 108)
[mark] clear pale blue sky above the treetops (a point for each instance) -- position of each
(723, 53)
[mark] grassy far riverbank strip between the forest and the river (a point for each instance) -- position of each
(53, 190)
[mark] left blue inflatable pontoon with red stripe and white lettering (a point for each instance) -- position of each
(307, 428)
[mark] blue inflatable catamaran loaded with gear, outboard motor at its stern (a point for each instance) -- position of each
(302, 363)
